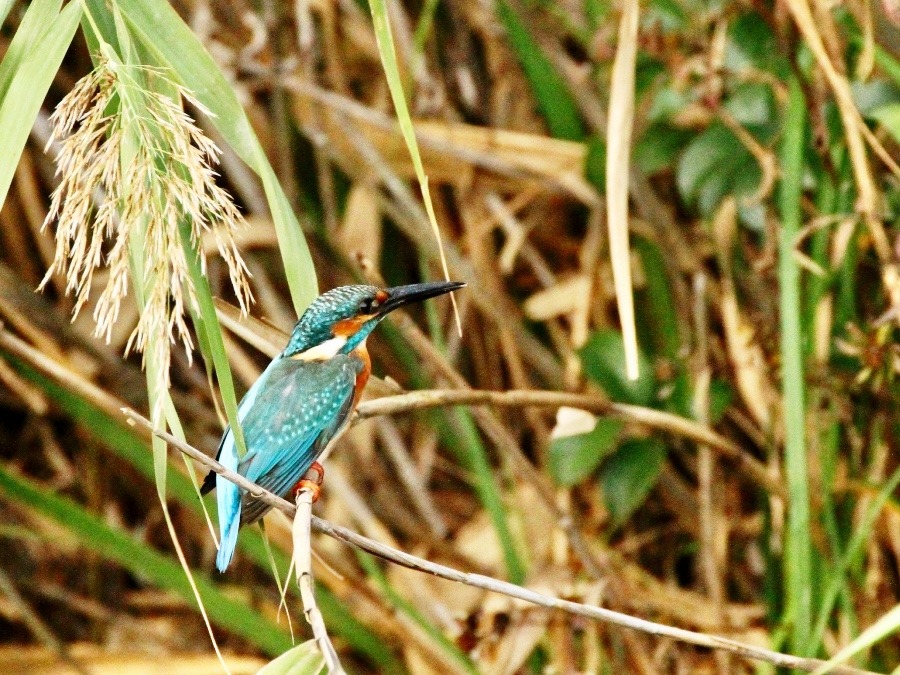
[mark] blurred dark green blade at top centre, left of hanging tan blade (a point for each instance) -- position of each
(553, 98)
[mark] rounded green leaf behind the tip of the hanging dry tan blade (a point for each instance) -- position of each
(603, 361)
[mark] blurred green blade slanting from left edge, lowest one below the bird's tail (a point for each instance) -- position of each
(145, 563)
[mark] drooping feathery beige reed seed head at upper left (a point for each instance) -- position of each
(139, 168)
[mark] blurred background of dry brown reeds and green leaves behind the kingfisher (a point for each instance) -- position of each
(744, 484)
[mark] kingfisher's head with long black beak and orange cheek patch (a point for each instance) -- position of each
(341, 319)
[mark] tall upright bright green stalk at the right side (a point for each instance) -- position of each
(797, 558)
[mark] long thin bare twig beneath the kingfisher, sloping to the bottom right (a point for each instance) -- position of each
(490, 584)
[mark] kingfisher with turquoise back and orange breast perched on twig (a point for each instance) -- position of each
(304, 399)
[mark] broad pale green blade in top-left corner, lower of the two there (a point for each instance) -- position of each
(29, 83)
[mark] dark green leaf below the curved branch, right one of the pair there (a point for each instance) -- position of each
(629, 475)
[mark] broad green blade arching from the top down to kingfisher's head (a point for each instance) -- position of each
(164, 34)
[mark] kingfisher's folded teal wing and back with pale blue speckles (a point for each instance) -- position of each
(291, 420)
